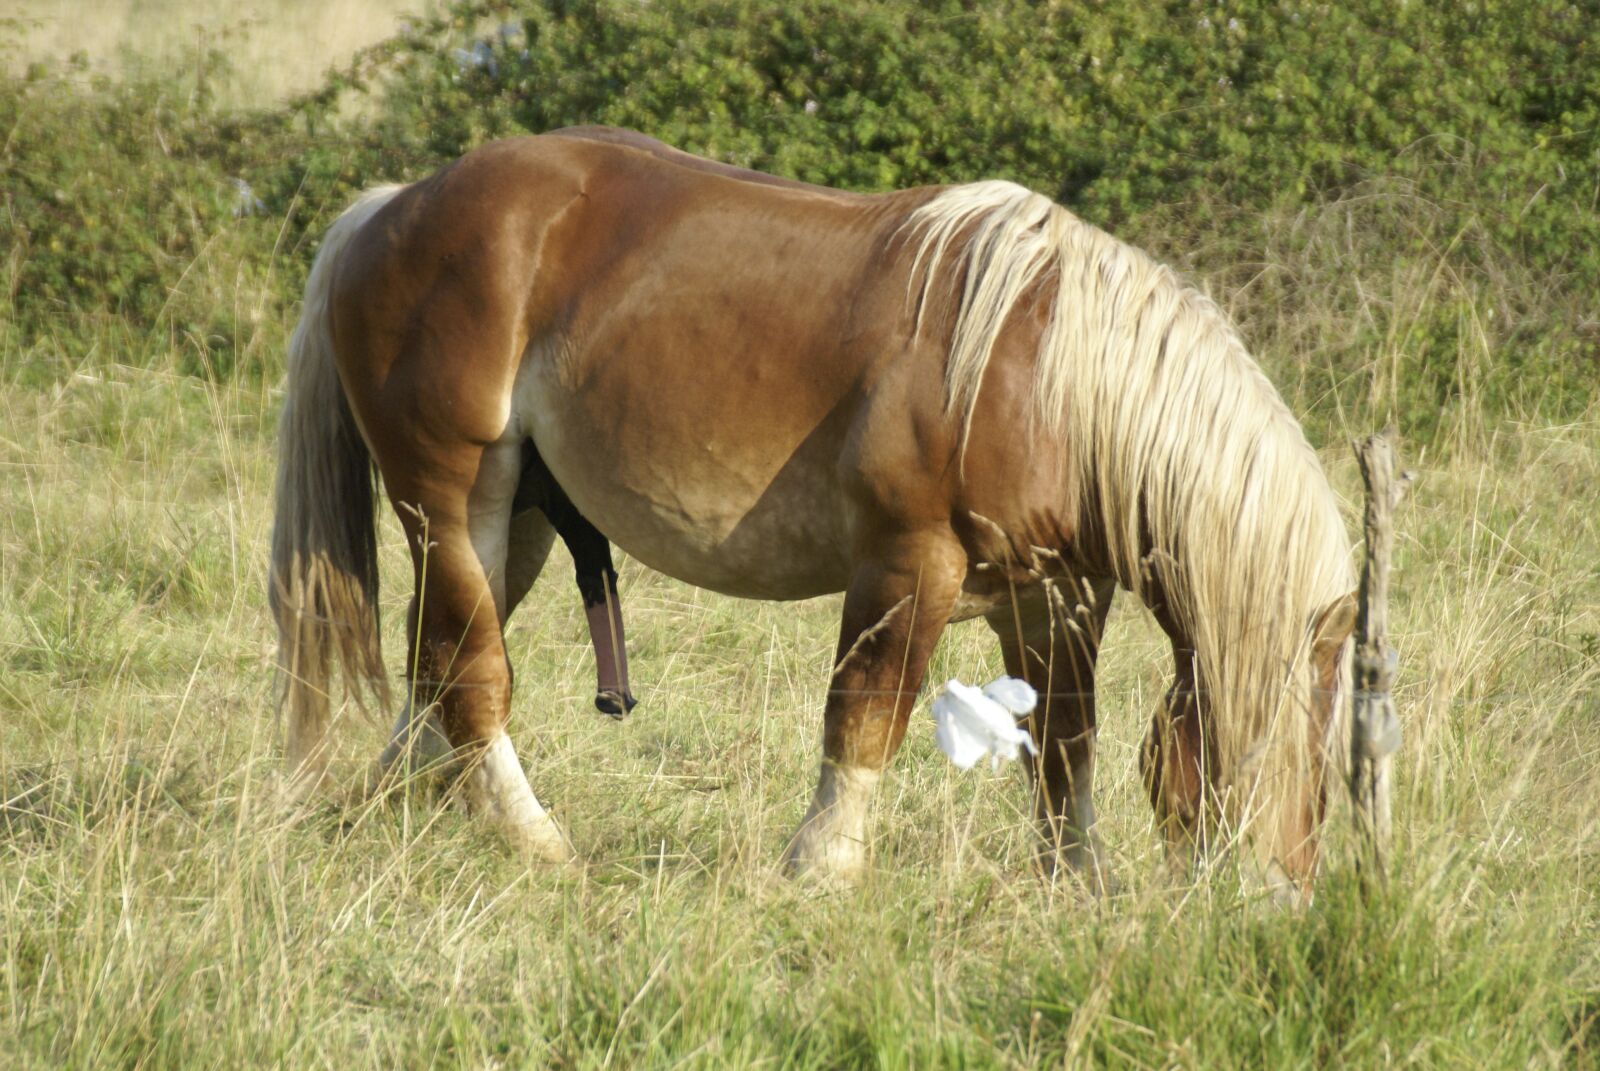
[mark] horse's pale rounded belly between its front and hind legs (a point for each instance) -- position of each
(710, 510)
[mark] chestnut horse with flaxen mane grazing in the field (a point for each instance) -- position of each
(945, 403)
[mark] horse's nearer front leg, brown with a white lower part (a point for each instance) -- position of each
(897, 606)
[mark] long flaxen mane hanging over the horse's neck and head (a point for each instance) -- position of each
(1198, 473)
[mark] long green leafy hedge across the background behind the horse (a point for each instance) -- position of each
(1455, 143)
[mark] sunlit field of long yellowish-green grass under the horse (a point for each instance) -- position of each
(159, 910)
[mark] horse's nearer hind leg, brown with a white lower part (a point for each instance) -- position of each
(457, 664)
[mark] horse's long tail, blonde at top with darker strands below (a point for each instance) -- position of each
(324, 576)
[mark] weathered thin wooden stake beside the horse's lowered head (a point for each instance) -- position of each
(1375, 728)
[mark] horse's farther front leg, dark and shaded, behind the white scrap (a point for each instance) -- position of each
(1055, 651)
